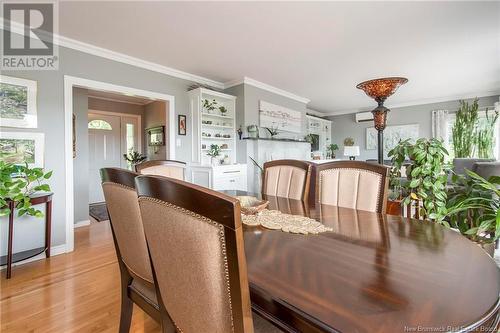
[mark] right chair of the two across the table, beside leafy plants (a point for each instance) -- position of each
(351, 184)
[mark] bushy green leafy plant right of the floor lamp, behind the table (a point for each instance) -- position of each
(426, 173)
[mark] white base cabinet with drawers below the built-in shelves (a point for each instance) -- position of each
(220, 178)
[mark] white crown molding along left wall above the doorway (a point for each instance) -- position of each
(119, 57)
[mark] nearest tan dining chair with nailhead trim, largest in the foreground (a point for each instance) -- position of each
(195, 242)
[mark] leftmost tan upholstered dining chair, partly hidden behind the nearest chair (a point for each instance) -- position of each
(137, 284)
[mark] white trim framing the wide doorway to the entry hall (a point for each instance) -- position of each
(69, 83)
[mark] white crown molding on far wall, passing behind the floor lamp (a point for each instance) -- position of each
(419, 102)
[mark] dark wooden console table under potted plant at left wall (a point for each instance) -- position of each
(10, 258)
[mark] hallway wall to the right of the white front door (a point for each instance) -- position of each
(155, 115)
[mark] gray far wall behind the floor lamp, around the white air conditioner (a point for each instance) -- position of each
(344, 126)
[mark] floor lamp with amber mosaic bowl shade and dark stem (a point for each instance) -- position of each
(379, 90)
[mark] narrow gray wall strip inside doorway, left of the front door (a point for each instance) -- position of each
(81, 161)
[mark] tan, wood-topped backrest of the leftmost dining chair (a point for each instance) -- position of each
(123, 209)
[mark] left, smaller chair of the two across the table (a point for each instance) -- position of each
(287, 179)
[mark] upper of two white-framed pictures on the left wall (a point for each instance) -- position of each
(17, 102)
